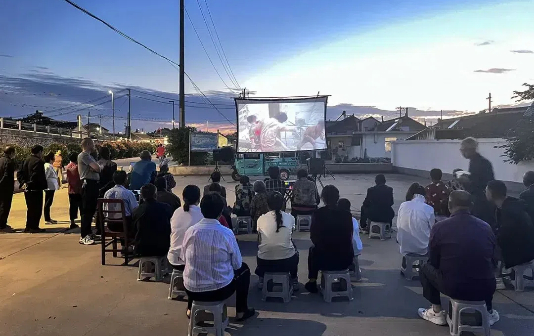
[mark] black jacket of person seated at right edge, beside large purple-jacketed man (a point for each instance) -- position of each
(515, 232)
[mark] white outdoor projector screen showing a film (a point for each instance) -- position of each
(280, 125)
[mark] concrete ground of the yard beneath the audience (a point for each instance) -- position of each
(51, 285)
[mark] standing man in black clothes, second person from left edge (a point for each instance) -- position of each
(32, 180)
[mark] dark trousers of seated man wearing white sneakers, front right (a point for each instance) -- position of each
(432, 282)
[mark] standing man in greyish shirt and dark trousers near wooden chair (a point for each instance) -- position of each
(89, 171)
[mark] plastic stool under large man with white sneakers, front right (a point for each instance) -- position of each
(457, 307)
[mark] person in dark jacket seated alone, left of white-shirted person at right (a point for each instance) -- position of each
(377, 206)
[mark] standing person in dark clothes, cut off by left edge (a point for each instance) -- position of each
(7, 186)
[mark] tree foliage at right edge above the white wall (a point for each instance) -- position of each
(520, 141)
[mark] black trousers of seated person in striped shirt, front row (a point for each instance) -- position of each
(239, 285)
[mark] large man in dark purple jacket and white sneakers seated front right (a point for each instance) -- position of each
(461, 261)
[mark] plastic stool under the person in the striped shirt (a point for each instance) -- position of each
(220, 318)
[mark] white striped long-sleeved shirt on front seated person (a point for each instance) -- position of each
(211, 255)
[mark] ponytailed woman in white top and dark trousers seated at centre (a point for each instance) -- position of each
(276, 252)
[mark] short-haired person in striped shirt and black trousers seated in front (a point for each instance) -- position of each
(214, 268)
